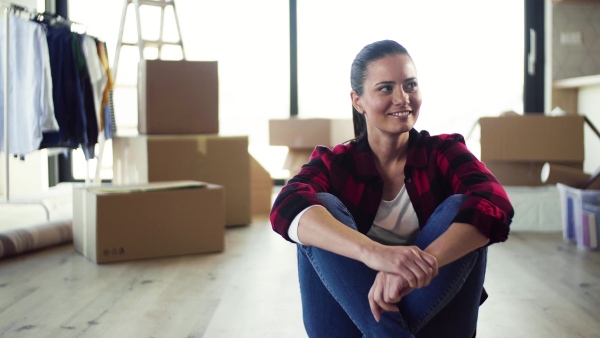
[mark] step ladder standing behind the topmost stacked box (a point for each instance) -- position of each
(141, 43)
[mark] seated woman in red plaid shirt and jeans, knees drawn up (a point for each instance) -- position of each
(392, 228)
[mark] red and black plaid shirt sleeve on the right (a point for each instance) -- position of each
(488, 207)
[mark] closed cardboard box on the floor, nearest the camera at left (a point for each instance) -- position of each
(146, 221)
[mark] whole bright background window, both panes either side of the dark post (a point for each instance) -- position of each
(468, 54)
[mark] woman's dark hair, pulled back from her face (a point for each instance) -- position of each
(372, 52)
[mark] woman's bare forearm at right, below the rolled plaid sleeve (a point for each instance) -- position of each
(457, 241)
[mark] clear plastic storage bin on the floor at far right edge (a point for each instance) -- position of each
(572, 203)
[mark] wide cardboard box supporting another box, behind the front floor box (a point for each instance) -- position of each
(222, 160)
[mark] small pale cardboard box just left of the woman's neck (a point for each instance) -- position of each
(297, 133)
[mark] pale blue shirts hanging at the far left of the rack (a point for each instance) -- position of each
(30, 87)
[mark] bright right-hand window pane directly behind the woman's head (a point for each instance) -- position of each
(468, 54)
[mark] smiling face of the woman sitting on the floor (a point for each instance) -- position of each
(391, 98)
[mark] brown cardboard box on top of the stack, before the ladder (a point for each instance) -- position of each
(178, 97)
